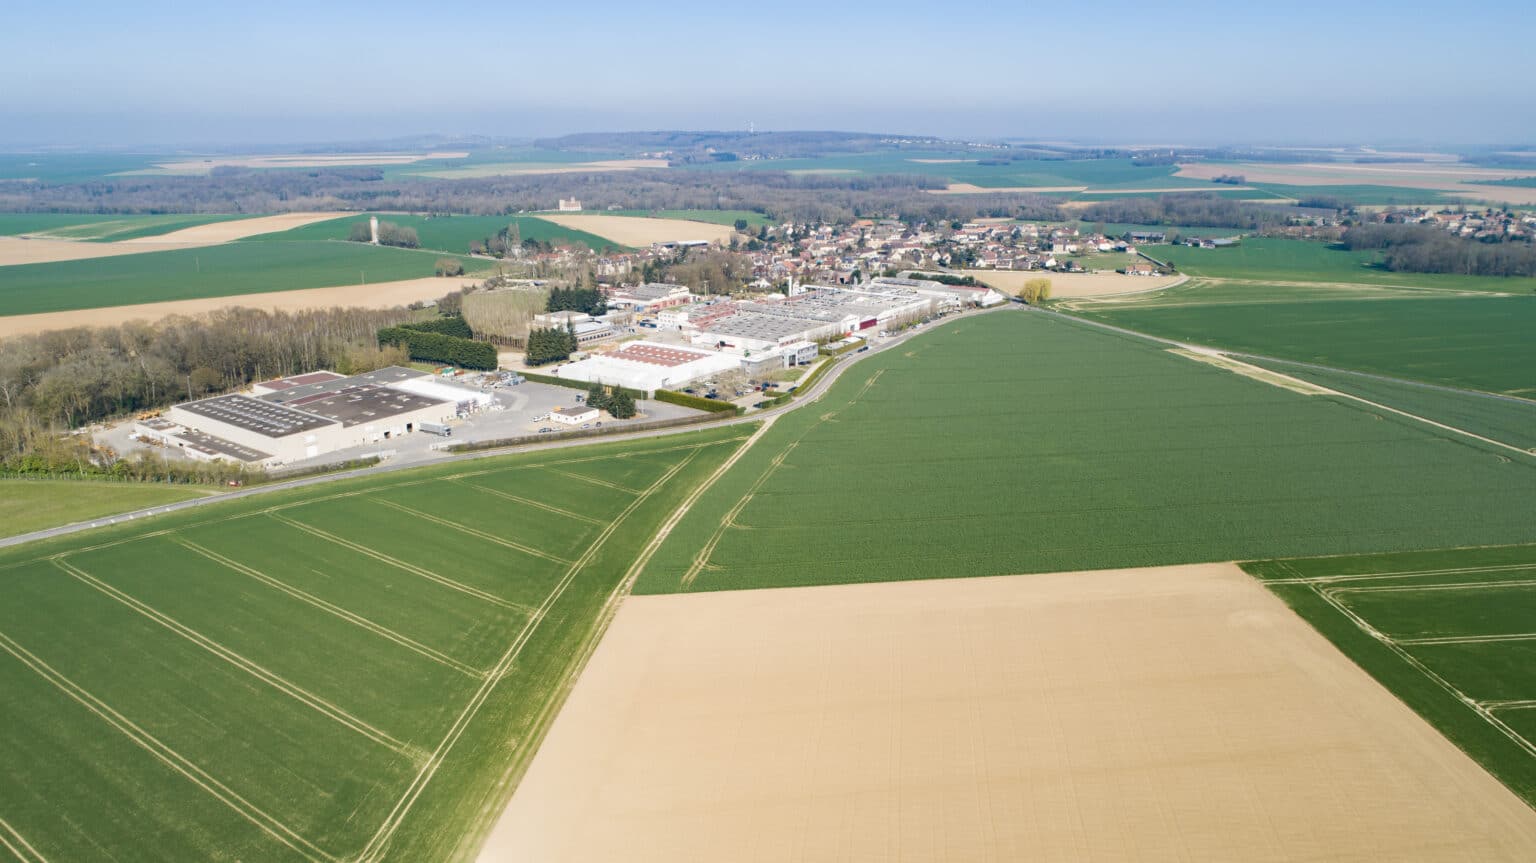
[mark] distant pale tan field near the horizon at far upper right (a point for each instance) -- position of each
(1405, 176)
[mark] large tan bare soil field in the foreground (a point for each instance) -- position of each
(1179, 713)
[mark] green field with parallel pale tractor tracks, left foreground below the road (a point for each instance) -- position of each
(357, 670)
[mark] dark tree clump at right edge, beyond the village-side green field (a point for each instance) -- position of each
(1425, 250)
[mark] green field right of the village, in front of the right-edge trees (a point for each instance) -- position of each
(1303, 260)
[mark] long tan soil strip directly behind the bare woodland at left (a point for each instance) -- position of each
(382, 296)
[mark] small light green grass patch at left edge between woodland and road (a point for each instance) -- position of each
(36, 504)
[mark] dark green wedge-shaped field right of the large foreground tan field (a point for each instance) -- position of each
(1449, 632)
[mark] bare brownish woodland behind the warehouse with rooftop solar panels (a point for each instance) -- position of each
(61, 380)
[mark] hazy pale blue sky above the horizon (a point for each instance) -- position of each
(282, 71)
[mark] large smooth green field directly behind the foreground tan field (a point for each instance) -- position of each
(1022, 443)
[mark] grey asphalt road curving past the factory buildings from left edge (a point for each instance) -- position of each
(818, 389)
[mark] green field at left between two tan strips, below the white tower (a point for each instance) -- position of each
(217, 271)
